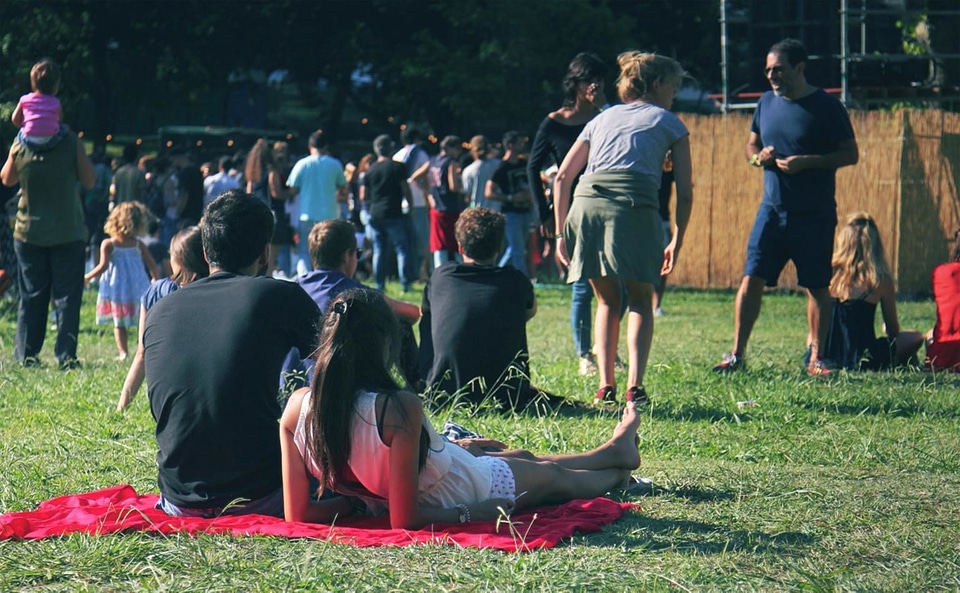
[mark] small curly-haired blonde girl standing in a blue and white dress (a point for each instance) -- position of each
(124, 260)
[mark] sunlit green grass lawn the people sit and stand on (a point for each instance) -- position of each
(852, 483)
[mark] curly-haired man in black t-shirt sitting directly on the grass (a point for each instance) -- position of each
(473, 334)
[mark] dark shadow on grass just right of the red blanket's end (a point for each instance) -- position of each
(702, 539)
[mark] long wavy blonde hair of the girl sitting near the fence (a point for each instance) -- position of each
(858, 259)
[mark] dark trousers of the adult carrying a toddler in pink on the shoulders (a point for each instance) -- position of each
(46, 273)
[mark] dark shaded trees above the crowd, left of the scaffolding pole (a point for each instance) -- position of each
(455, 67)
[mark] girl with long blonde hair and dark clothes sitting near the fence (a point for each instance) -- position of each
(861, 280)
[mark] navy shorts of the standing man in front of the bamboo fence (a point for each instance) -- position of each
(806, 238)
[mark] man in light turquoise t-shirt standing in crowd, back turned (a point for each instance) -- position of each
(319, 184)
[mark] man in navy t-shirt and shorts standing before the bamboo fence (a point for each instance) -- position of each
(799, 137)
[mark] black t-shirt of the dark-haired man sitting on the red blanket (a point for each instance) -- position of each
(213, 352)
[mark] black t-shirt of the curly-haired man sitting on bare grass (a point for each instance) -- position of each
(476, 317)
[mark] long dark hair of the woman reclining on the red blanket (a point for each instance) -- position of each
(359, 348)
